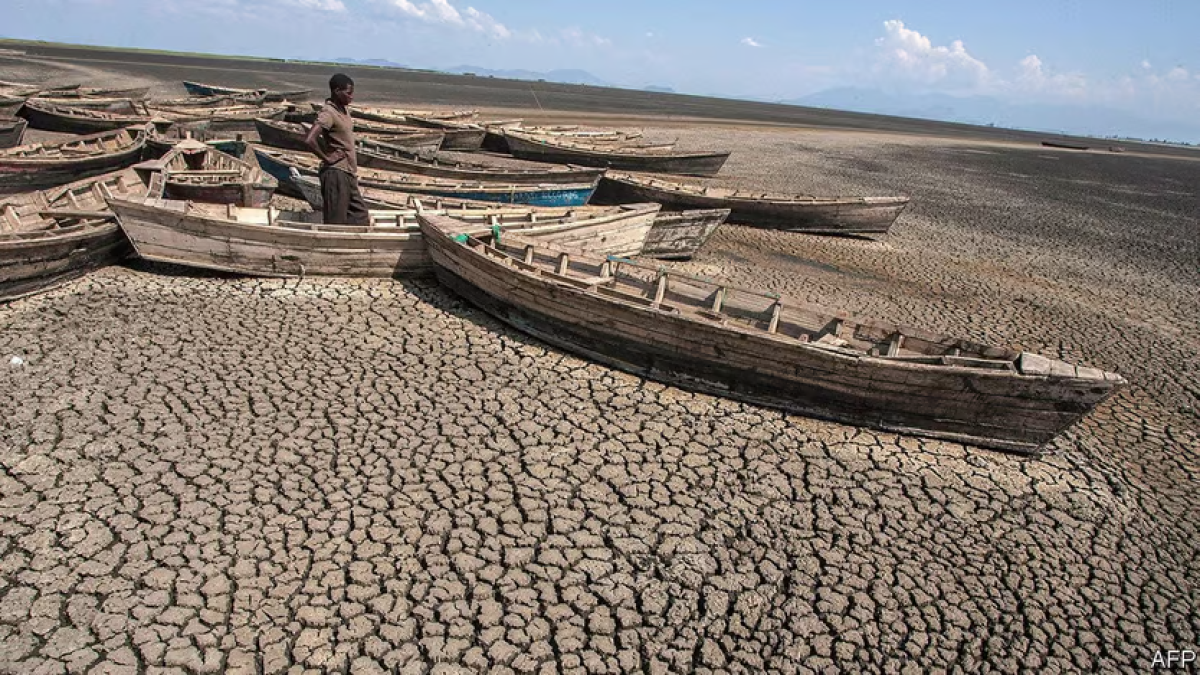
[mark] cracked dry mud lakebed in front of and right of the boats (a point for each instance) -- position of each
(207, 474)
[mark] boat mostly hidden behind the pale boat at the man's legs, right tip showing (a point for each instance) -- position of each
(673, 237)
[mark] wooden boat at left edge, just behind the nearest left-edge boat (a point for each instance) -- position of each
(28, 168)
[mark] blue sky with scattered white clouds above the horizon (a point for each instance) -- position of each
(1136, 57)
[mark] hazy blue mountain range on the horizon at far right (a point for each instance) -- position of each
(1082, 121)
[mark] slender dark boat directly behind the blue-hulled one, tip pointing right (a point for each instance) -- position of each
(652, 160)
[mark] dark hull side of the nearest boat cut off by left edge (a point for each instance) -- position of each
(34, 267)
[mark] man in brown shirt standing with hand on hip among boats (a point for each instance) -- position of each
(332, 139)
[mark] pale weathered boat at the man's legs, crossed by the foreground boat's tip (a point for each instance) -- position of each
(274, 243)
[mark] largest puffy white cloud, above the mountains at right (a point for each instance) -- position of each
(910, 56)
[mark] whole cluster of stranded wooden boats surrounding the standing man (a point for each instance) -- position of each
(562, 250)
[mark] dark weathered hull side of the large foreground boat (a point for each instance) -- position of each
(995, 411)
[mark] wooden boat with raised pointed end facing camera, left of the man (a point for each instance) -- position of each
(201, 174)
